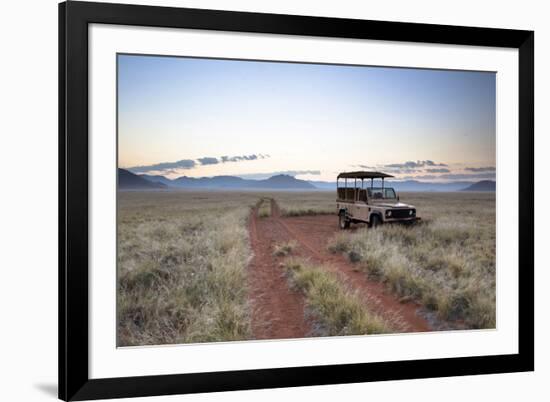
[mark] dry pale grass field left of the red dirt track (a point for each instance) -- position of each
(182, 260)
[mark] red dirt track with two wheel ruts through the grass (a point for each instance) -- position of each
(277, 311)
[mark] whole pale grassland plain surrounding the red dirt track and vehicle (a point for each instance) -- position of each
(183, 259)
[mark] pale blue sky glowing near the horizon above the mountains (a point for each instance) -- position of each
(207, 117)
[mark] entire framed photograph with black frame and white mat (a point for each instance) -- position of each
(257, 200)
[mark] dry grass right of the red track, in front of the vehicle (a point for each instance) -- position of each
(447, 262)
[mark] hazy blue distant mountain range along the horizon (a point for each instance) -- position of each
(131, 181)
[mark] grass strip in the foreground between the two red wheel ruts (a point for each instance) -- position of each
(336, 309)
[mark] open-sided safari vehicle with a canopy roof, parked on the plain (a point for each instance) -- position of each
(368, 204)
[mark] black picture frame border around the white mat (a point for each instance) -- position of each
(74, 381)
